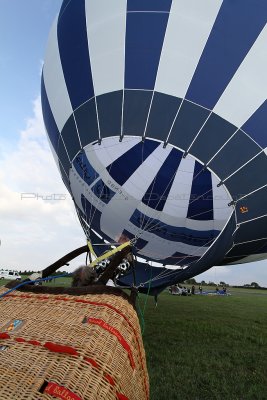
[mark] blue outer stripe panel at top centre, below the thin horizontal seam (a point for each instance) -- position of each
(144, 38)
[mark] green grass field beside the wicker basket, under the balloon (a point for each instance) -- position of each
(206, 347)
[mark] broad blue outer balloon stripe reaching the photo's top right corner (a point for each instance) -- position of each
(236, 28)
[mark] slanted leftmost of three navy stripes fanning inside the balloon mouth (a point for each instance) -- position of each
(122, 168)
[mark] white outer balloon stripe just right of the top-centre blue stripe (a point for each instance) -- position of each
(189, 26)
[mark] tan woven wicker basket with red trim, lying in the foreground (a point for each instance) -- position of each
(70, 347)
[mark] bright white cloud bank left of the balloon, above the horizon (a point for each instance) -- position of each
(35, 229)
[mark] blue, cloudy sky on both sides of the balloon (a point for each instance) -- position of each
(36, 228)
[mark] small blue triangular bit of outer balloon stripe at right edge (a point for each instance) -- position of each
(257, 124)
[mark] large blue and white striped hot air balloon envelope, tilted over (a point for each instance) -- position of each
(156, 114)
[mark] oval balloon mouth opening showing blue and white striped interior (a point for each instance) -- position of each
(171, 203)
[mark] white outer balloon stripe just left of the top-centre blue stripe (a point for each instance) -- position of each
(106, 26)
